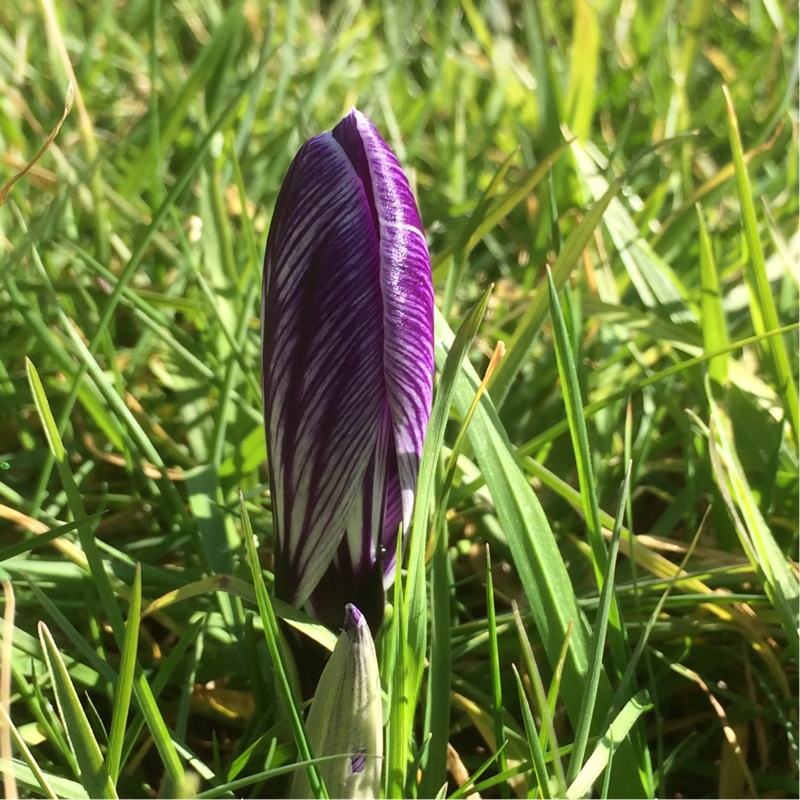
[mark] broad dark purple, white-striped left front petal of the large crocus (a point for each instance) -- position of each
(323, 382)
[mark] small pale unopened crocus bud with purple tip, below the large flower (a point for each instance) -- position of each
(346, 717)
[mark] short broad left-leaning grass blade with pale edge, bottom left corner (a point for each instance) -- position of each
(79, 733)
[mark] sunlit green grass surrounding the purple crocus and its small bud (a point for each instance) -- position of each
(646, 403)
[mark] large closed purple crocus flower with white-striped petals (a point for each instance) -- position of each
(347, 321)
